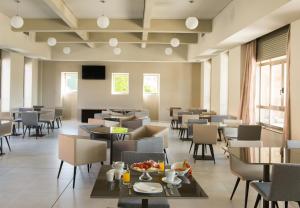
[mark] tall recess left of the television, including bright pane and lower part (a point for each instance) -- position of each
(69, 93)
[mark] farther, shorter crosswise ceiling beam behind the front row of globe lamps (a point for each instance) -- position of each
(96, 37)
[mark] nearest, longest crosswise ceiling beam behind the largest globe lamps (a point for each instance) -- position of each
(116, 25)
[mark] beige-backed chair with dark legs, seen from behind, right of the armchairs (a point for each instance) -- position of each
(204, 135)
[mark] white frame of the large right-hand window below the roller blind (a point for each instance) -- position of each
(282, 60)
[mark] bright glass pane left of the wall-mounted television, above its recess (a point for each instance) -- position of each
(69, 82)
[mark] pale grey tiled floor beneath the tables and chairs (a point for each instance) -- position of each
(28, 176)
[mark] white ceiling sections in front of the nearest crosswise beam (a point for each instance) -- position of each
(121, 9)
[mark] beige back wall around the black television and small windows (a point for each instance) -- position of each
(175, 85)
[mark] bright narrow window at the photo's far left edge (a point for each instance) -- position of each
(5, 84)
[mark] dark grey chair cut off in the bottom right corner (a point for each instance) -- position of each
(285, 185)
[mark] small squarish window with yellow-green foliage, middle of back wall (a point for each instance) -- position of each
(120, 83)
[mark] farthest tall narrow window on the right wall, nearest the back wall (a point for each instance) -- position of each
(206, 85)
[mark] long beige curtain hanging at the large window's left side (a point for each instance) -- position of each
(247, 107)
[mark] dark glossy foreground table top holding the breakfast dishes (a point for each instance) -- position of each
(189, 188)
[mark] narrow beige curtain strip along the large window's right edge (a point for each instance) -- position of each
(287, 112)
